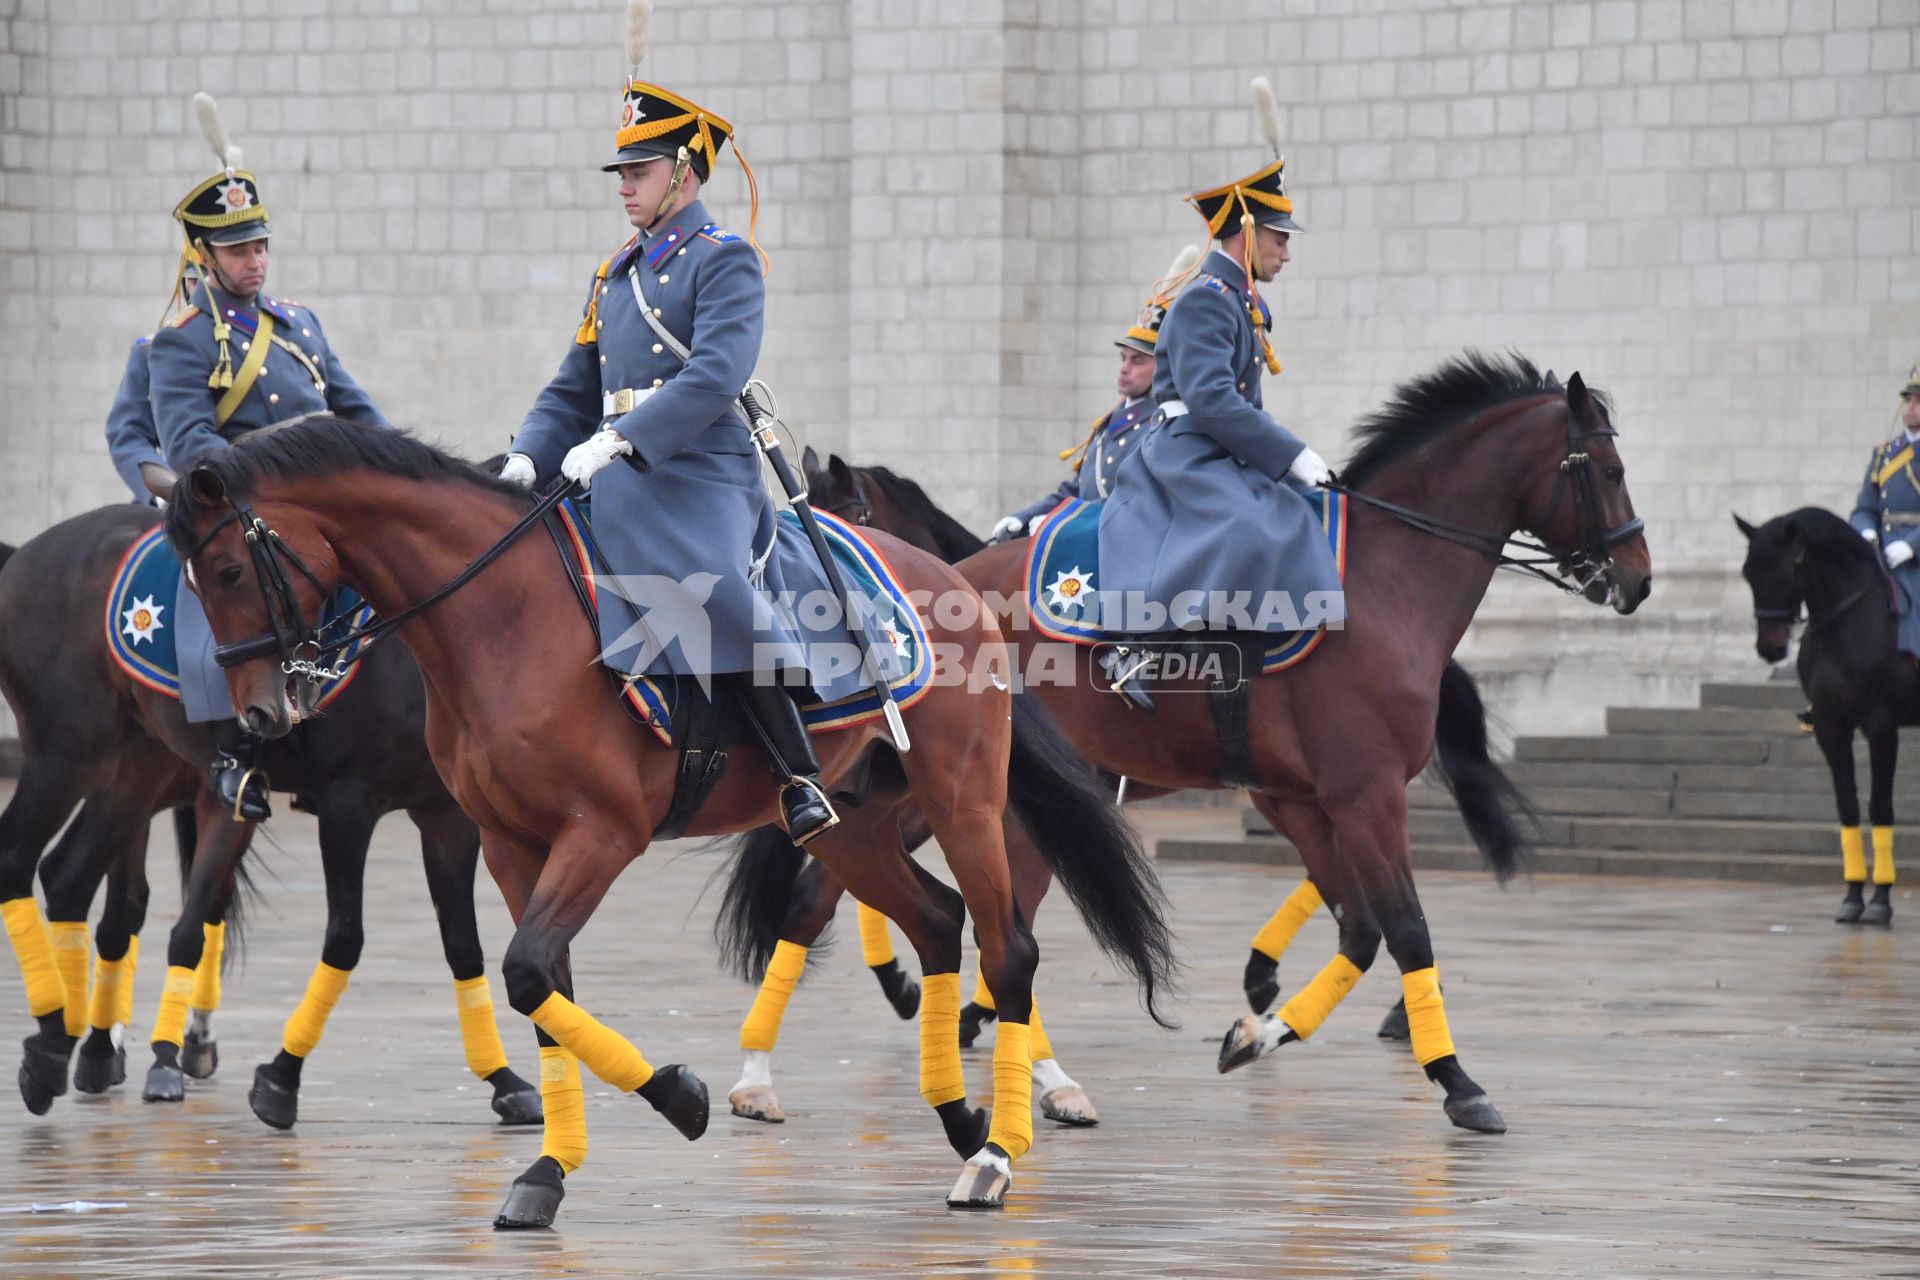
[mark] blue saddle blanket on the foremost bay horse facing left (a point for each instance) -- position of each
(901, 638)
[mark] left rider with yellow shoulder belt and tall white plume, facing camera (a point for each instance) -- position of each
(231, 364)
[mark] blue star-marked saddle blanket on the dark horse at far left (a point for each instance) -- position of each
(143, 602)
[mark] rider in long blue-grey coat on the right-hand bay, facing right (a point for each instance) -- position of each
(1214, 500)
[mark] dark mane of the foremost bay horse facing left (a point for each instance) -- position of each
(324, 446)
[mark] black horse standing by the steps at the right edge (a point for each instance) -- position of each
(1812, 563)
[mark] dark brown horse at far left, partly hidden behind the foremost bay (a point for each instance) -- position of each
(124, 751)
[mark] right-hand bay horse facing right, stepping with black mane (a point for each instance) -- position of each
(1443, 479)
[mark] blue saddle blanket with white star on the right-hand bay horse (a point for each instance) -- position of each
(1065, 573)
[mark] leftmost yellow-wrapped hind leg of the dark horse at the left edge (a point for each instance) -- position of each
(47, 794)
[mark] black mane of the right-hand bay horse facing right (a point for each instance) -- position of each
(1437, 402)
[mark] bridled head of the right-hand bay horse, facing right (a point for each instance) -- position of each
(1587, 515)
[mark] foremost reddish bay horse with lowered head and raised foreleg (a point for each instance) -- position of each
(567, 788)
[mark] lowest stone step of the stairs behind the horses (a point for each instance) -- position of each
(1547, 861)
